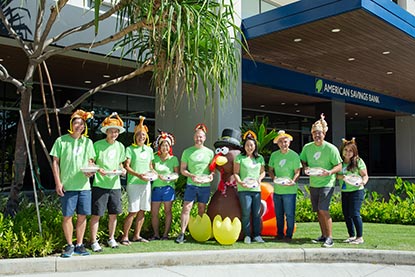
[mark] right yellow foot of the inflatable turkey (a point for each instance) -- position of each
(226, 232)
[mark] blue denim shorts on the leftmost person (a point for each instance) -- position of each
(76, 201)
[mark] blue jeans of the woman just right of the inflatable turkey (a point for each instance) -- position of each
(250, 205)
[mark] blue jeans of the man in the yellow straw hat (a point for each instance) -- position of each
(284, 204)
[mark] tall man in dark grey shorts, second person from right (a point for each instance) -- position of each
(321, 160)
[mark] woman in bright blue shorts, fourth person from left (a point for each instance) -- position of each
(167, 167)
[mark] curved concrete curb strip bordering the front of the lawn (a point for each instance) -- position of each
(194, 258)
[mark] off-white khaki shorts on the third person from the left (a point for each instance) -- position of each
(139, 197)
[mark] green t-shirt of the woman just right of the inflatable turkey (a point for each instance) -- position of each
(249, 167)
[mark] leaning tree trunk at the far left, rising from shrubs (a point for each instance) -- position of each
(20, 152)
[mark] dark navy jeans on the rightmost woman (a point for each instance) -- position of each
(351, 204)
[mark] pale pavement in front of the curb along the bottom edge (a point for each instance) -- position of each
(249, 270)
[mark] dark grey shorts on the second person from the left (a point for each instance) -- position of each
(106, 199)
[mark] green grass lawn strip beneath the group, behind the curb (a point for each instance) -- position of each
(376, 236)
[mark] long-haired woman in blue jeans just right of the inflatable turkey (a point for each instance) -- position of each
(249, 170)
